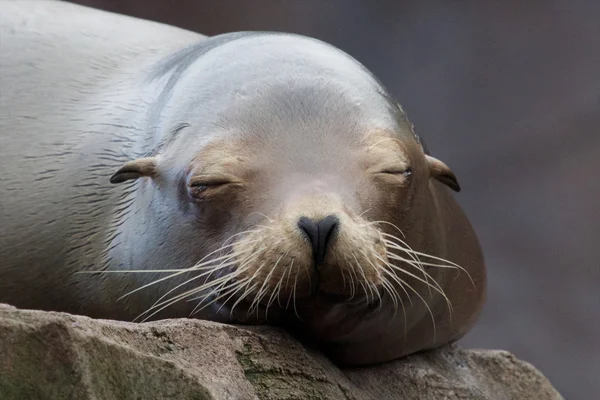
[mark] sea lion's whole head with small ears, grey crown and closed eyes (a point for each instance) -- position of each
(297, 177)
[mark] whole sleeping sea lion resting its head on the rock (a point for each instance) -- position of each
(250, 177)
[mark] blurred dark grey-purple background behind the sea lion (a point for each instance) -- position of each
(506, 93)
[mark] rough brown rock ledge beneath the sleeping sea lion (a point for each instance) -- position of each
(48, 355)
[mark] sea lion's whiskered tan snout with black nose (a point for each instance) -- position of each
(314, 247)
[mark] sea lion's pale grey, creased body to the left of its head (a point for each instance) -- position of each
(76, 102)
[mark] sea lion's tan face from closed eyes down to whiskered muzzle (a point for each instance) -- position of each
(307, 224)
